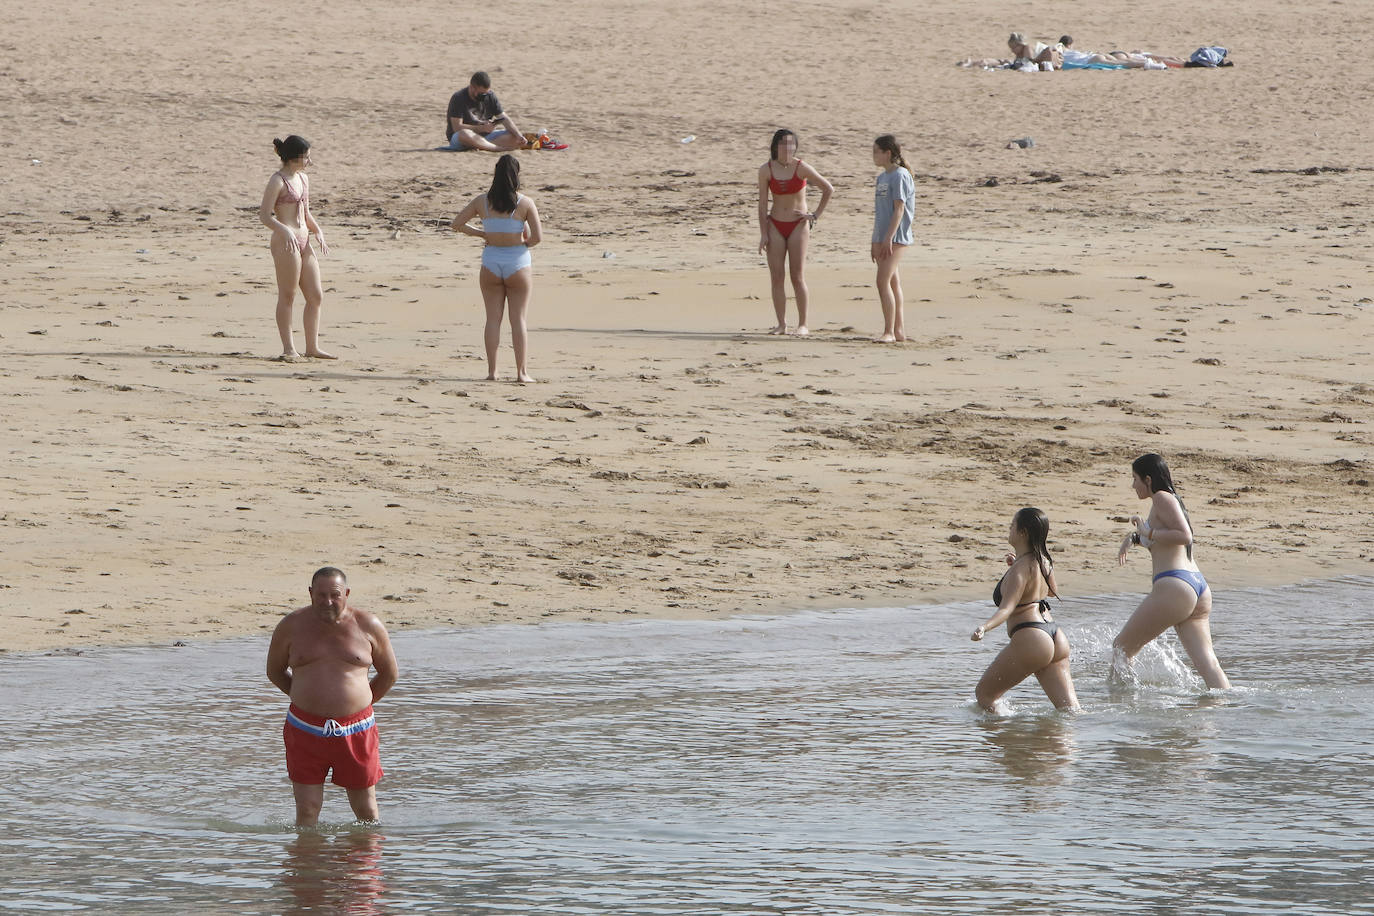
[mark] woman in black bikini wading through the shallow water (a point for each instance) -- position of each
(1037, 645)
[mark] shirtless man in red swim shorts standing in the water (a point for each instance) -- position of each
(321, 657)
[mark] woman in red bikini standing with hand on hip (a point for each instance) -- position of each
(785, 230)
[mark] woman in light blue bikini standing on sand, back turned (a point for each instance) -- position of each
(510, 229)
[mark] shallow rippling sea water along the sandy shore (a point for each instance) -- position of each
(821, 763)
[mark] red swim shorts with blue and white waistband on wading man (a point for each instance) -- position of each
(317, 745)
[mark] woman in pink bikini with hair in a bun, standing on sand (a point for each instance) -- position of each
(286, 211)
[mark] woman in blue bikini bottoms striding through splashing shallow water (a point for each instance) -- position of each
(1180, 597)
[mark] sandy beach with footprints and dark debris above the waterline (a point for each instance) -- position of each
(1180, 266)
